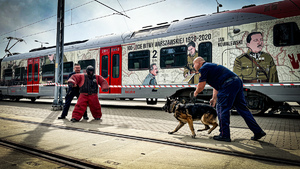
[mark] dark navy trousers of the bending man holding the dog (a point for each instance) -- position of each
(231, 94)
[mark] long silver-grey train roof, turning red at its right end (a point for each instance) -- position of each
(248, 14)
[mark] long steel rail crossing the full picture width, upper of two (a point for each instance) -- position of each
(170, 143)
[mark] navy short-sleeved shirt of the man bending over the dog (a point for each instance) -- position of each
(215, 75)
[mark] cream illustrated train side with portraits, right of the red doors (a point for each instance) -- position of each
(252, 54)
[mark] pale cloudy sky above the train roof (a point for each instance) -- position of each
(33, 20)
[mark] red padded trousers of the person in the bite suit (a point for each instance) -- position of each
(87, 100)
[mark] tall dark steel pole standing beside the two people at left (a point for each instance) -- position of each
(58, 102)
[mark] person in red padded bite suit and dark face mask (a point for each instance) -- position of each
(88, 88)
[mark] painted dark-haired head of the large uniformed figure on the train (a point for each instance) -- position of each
(255, 41)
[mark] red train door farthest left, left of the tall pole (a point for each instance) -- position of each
(33, 77)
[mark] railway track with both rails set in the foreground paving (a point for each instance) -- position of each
(152, 140)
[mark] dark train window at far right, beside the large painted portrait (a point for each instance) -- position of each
(286, 34)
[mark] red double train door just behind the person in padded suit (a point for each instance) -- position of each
(111, 67)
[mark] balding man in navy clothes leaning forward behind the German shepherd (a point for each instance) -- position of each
(227, 92)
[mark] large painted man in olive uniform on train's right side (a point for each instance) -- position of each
(255, 66)
